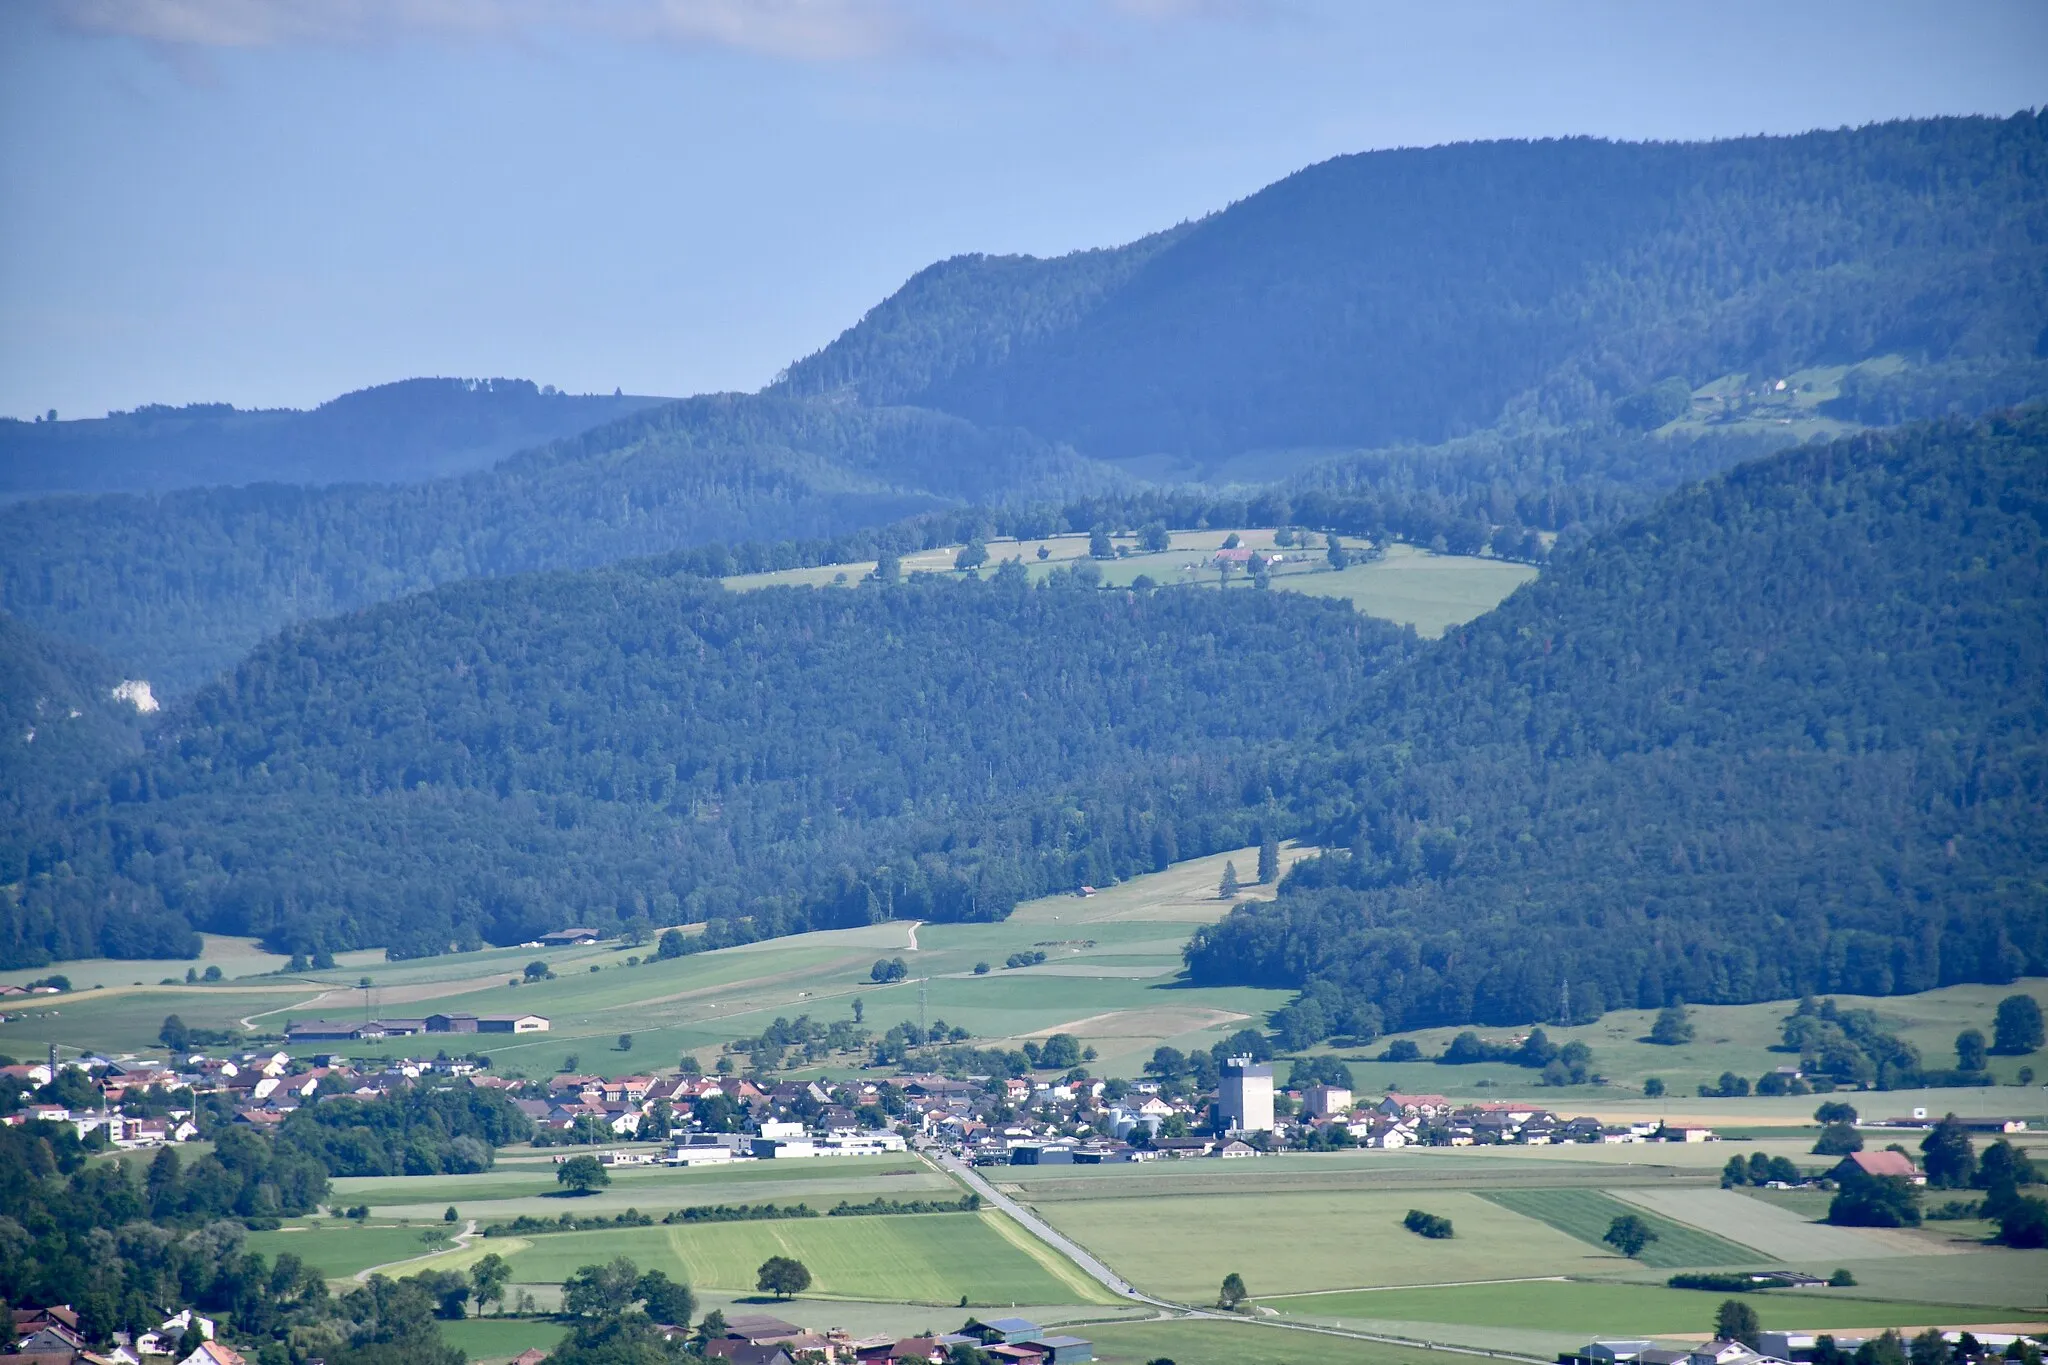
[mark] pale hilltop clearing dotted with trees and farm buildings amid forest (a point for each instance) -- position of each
(1410, 586)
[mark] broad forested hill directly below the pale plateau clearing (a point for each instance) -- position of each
(505, 756)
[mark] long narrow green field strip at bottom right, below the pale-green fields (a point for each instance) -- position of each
(1609, 1311)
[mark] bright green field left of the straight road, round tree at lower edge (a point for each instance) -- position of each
(919, 1260)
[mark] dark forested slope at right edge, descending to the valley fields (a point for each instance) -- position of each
(1785, 736)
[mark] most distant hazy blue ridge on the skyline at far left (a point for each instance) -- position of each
(419, 429)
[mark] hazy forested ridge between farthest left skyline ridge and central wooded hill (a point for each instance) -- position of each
(179, 586)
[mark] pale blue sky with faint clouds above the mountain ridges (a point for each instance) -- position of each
(278, 202)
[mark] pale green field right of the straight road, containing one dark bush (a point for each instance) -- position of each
(1306, 1241)
